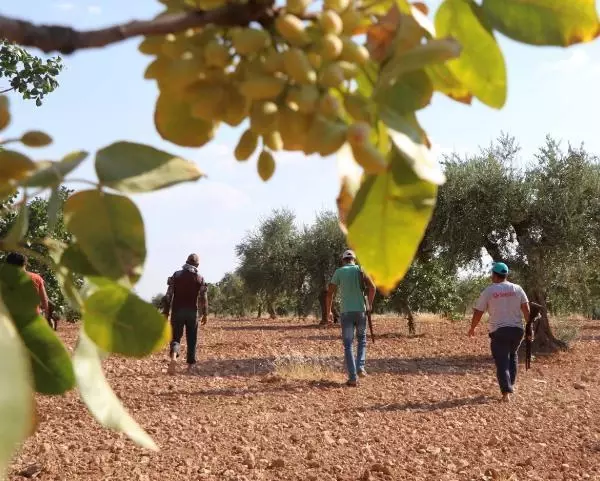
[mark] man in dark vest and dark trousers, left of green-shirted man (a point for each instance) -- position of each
(185, 302)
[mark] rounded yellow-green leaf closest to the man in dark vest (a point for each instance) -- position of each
(118, 321)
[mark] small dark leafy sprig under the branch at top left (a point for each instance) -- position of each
(27, 74)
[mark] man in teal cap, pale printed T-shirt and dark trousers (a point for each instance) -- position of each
(504, 302)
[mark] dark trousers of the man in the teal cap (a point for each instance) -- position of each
(505, 344)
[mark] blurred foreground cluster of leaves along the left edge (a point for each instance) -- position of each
(91, 257)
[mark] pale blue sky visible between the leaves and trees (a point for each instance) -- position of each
(103, 98)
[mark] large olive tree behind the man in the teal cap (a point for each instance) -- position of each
(543, 220)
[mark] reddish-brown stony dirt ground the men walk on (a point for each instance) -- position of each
(269, 404)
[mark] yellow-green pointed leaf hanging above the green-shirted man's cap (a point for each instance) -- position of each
(388, 219)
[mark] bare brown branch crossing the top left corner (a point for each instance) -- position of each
(66, 40)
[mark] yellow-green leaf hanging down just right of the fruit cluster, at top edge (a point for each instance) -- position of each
(480, 67)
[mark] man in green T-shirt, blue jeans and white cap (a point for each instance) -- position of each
(351, 282)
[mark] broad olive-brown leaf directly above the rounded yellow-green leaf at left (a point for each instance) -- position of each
(110, 232)
